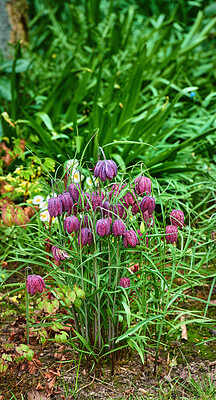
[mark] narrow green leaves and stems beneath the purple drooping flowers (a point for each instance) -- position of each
(85, 287)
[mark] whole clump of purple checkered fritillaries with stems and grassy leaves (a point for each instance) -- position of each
(113, 254)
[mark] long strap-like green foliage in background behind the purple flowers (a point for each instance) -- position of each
(116, 78)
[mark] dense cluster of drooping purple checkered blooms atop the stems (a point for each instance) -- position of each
(111, 211)
